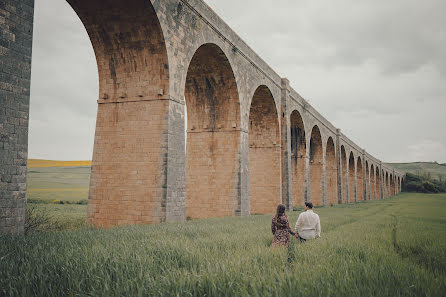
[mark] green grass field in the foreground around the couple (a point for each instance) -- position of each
(393, 247)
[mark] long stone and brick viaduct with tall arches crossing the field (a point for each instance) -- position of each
(252, 141)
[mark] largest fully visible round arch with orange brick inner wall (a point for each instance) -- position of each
(213, 135)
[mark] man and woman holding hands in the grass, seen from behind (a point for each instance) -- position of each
(308, 226)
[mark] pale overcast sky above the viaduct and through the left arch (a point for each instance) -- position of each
(375, 69)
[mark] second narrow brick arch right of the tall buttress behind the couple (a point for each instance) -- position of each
(316, 166)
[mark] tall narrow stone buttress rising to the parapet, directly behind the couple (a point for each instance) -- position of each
(286, 146)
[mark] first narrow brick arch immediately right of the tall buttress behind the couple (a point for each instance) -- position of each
(298, 157)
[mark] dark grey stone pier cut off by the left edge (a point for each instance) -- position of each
(16, 26)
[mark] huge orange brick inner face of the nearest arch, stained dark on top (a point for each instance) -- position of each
(128, 170)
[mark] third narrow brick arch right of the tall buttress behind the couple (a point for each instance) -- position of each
(331, 172)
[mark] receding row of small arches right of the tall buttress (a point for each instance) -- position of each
(318, 180)
